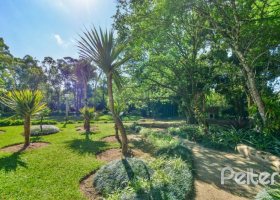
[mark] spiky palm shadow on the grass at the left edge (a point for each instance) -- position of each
(11, 162)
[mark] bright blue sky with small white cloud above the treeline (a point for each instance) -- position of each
(50, 27)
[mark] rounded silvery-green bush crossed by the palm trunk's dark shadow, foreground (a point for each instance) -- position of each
(117, 174)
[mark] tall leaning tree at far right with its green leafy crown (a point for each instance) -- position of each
(250, 28)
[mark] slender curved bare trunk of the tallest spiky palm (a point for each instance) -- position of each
(116, 118)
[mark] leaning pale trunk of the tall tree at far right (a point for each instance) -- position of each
(251, 83)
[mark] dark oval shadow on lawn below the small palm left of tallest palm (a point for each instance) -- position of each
(87, 145)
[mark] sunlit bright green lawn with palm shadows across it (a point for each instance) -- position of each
(54, 171)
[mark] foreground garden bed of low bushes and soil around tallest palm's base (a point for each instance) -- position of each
(169, 164)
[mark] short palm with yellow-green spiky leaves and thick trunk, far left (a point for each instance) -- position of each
(25, 103)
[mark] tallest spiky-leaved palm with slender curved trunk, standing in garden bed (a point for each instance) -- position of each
(101, 49)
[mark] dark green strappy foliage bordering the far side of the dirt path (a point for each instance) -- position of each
(226, 139)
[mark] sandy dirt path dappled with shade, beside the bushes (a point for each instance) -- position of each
(208, 164)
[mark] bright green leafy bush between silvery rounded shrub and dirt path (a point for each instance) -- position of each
(171, 179)
